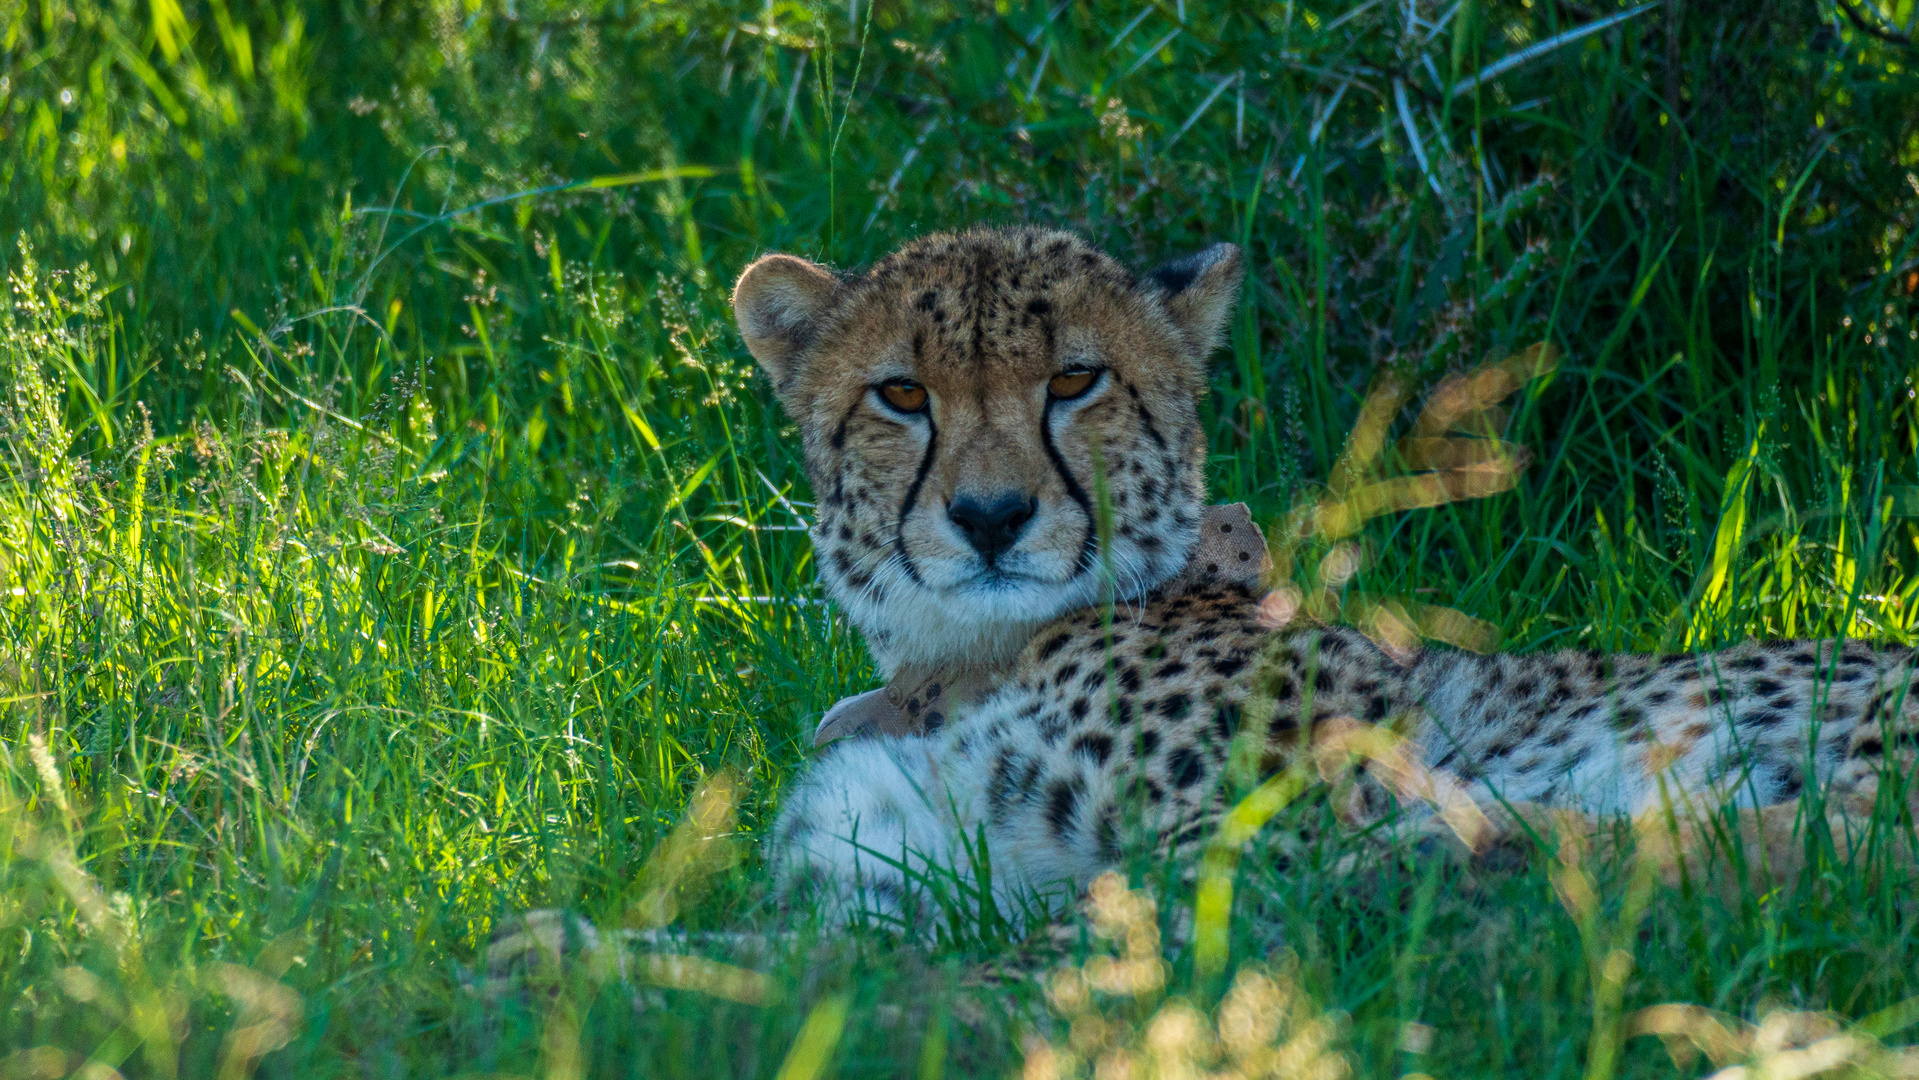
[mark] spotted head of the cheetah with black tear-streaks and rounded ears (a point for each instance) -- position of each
(968, 406)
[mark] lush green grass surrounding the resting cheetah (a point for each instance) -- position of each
(379, 567)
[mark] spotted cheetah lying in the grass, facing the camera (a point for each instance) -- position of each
(1003, 433)
